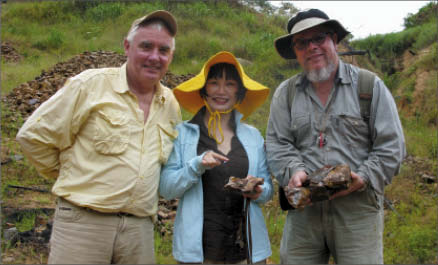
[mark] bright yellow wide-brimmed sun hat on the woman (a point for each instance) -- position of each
(189, 98)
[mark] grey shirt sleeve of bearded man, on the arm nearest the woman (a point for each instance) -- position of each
(284, 158)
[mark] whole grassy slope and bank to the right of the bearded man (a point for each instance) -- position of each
(409, 62)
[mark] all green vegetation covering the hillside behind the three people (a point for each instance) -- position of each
(45, 33)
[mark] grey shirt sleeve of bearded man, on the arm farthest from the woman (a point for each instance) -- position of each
(388, 148)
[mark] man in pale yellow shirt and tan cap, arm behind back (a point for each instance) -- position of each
(104, 137)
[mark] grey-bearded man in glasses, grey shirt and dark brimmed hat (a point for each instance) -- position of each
(318, 117)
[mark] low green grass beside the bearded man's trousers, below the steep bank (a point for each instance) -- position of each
(410, 235)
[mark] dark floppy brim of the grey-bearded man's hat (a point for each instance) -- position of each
(283, 44)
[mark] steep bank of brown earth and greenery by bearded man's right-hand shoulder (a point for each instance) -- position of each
(412, 81)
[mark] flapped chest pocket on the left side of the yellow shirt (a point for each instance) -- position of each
(112, 132)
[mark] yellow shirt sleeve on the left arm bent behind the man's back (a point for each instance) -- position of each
(51, 128)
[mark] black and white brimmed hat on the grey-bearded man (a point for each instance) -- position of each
(305, 20)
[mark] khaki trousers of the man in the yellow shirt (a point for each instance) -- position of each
(82, 236)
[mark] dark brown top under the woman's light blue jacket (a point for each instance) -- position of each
(223, 236)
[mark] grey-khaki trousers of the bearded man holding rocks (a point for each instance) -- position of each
(348, 228)
